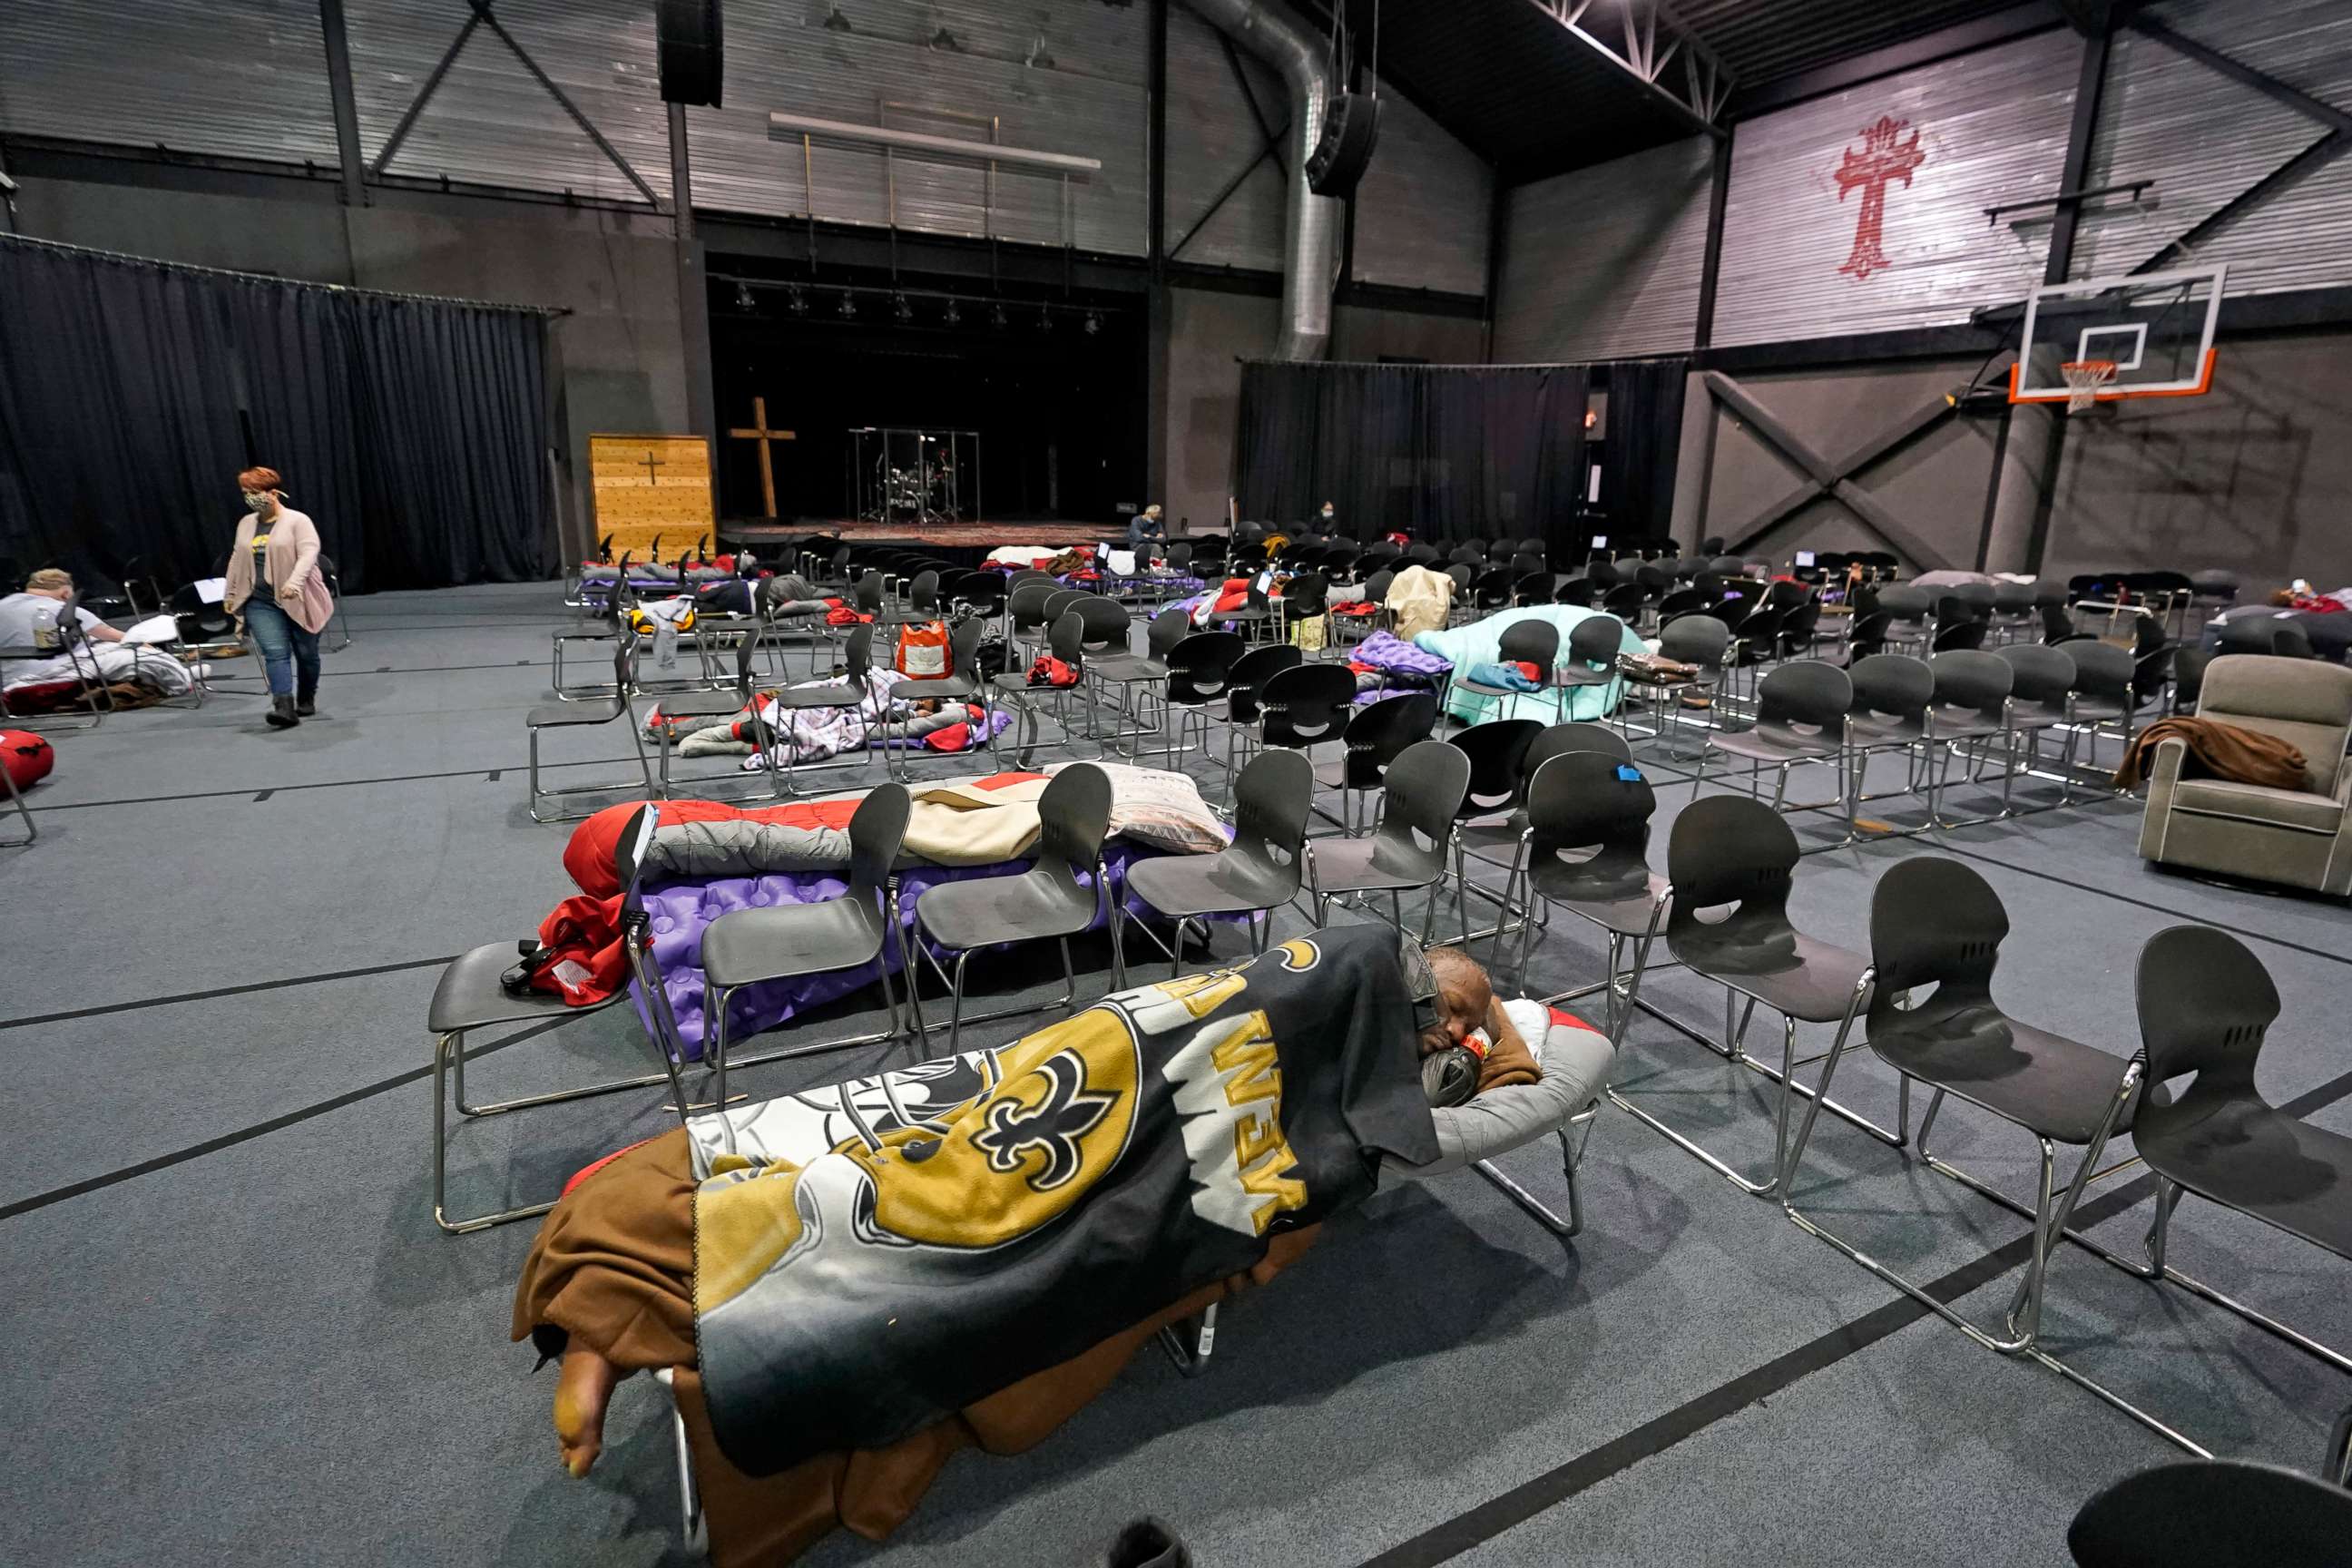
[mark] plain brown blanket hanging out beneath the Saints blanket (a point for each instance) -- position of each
(615, 1266)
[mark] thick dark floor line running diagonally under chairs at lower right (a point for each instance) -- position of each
(1695, 1416)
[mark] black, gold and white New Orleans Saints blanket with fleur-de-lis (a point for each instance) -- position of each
(886, 1252)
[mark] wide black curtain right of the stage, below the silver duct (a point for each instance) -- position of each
(1436, 450)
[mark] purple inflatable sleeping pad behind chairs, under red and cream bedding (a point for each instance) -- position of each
(681, 913)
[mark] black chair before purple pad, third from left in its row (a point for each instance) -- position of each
(1062, 897)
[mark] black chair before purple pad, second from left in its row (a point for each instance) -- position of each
(810, 939)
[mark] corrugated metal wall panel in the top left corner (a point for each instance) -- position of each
(236, 79)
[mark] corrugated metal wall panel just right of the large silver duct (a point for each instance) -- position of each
(1422, 208)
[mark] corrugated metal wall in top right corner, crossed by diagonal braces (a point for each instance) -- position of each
(2205, 140)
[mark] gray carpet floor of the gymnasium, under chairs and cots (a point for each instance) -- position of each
(236, 1336)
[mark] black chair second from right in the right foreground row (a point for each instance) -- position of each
(1939, 925)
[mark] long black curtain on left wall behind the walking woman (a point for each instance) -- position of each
(131, 396)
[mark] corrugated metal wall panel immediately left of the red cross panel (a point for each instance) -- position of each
(1605, 262)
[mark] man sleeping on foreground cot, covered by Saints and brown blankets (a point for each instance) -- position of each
(857, 1280)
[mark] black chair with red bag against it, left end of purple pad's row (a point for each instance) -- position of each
(472, 996)
